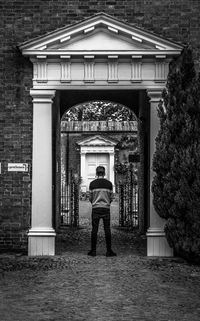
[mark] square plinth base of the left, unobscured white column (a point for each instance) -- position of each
(41, 241)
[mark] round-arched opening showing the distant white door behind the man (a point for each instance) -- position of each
(100, 133)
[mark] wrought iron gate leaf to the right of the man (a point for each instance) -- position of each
(128, 202)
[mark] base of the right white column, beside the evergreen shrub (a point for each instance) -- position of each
(157, 244)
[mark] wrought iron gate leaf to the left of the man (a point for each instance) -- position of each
(70, 201)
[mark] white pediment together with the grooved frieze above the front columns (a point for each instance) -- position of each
(100, 51)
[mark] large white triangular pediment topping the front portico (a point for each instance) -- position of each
(100, 34)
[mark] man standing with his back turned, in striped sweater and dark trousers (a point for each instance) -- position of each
(101, 196)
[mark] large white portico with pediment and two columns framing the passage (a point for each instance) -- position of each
(98, 55)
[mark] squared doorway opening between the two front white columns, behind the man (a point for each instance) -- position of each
(85, 127)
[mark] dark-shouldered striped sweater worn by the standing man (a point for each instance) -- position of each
(101, 193)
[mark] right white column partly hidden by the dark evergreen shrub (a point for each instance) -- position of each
(157, 244)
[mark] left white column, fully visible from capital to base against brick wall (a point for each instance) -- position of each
(41, 236)
